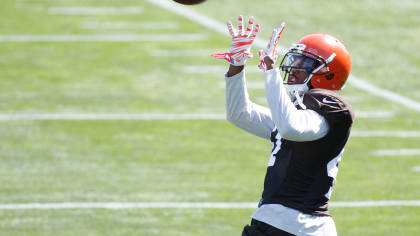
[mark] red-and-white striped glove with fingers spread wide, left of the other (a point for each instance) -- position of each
(240, 50)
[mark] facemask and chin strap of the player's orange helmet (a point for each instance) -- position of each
(298, 67)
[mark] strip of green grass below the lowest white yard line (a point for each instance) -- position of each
(190, 222)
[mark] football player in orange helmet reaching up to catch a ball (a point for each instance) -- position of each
(307, 123)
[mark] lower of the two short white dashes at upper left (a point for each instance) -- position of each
(130, 25)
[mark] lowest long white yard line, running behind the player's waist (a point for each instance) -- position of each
(208, 205)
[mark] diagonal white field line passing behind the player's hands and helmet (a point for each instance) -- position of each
(221, 28)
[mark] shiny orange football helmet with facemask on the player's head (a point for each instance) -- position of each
(323, 61)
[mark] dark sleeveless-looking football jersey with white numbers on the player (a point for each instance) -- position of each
(301, 175)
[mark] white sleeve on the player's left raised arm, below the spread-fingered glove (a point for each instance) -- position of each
(242, 112)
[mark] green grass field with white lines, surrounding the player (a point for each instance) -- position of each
(112, 116)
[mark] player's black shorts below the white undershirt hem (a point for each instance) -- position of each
(258, 228)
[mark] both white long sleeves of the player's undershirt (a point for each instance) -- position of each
(292, 124)
